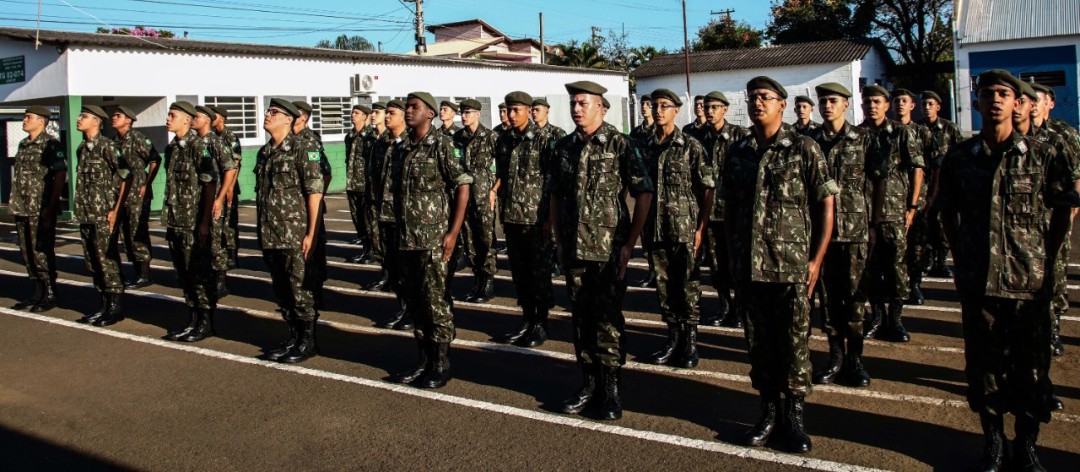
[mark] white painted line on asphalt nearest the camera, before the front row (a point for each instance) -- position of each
(730, 450)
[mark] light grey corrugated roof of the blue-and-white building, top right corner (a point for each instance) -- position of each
(984, 21)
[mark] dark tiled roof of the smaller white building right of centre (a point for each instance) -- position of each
(820, 52)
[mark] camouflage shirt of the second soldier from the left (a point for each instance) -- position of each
(101, 170)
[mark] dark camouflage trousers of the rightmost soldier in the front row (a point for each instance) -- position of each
(1007, 353)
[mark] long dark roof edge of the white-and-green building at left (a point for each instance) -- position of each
(67, 39)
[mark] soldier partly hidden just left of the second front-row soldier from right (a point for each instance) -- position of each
(719, 137)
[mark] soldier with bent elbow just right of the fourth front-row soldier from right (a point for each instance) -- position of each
(477, 145)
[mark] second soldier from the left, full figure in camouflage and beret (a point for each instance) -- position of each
(102, 183)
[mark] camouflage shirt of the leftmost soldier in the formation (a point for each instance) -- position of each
(37, 161)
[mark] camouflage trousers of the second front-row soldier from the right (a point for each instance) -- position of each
(778, 331)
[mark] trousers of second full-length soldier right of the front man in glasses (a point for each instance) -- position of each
(886, 278)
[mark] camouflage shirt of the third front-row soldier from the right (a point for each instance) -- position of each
(589, 177)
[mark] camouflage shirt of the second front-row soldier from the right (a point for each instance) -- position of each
(769, 192)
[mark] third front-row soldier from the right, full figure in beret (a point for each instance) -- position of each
(591, 170)
